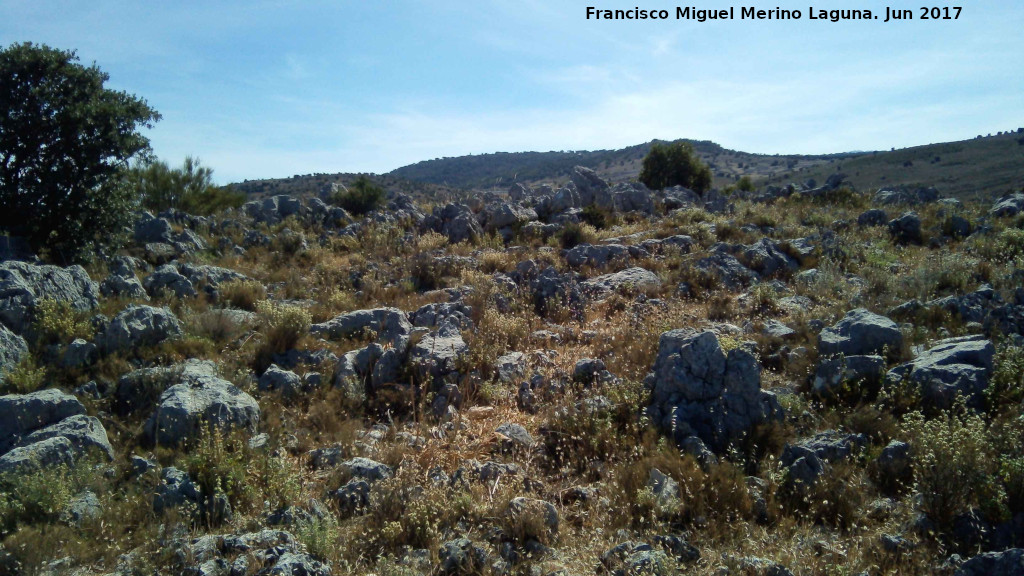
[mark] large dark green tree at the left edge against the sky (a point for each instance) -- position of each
(65, 146)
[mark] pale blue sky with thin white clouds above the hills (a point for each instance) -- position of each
(260, 90)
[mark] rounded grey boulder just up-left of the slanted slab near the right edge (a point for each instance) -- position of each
(862, 333)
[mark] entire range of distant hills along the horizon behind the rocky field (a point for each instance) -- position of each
(984, 168)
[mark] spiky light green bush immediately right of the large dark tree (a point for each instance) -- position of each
(189, 189)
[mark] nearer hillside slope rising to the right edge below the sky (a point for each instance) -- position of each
(984, 168)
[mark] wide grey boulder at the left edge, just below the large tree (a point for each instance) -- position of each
(24, 285)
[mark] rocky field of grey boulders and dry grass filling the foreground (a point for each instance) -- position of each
(595, 380)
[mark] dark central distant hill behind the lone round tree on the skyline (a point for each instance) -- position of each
(501, 170)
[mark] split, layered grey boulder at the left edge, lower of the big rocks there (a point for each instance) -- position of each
(47, 428)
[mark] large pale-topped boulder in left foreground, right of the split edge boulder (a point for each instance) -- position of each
(201, 399)
